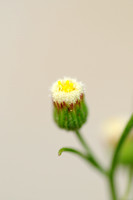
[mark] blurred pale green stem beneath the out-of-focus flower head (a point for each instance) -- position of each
(130, 178)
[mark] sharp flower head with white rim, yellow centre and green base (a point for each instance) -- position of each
(70, 110)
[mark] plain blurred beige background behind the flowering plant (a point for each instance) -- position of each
(41, 41)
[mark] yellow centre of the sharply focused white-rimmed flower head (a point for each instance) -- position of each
(66, 86)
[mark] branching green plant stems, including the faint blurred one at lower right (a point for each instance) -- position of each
(89, 157)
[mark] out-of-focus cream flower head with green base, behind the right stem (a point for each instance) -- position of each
(112, 131)
